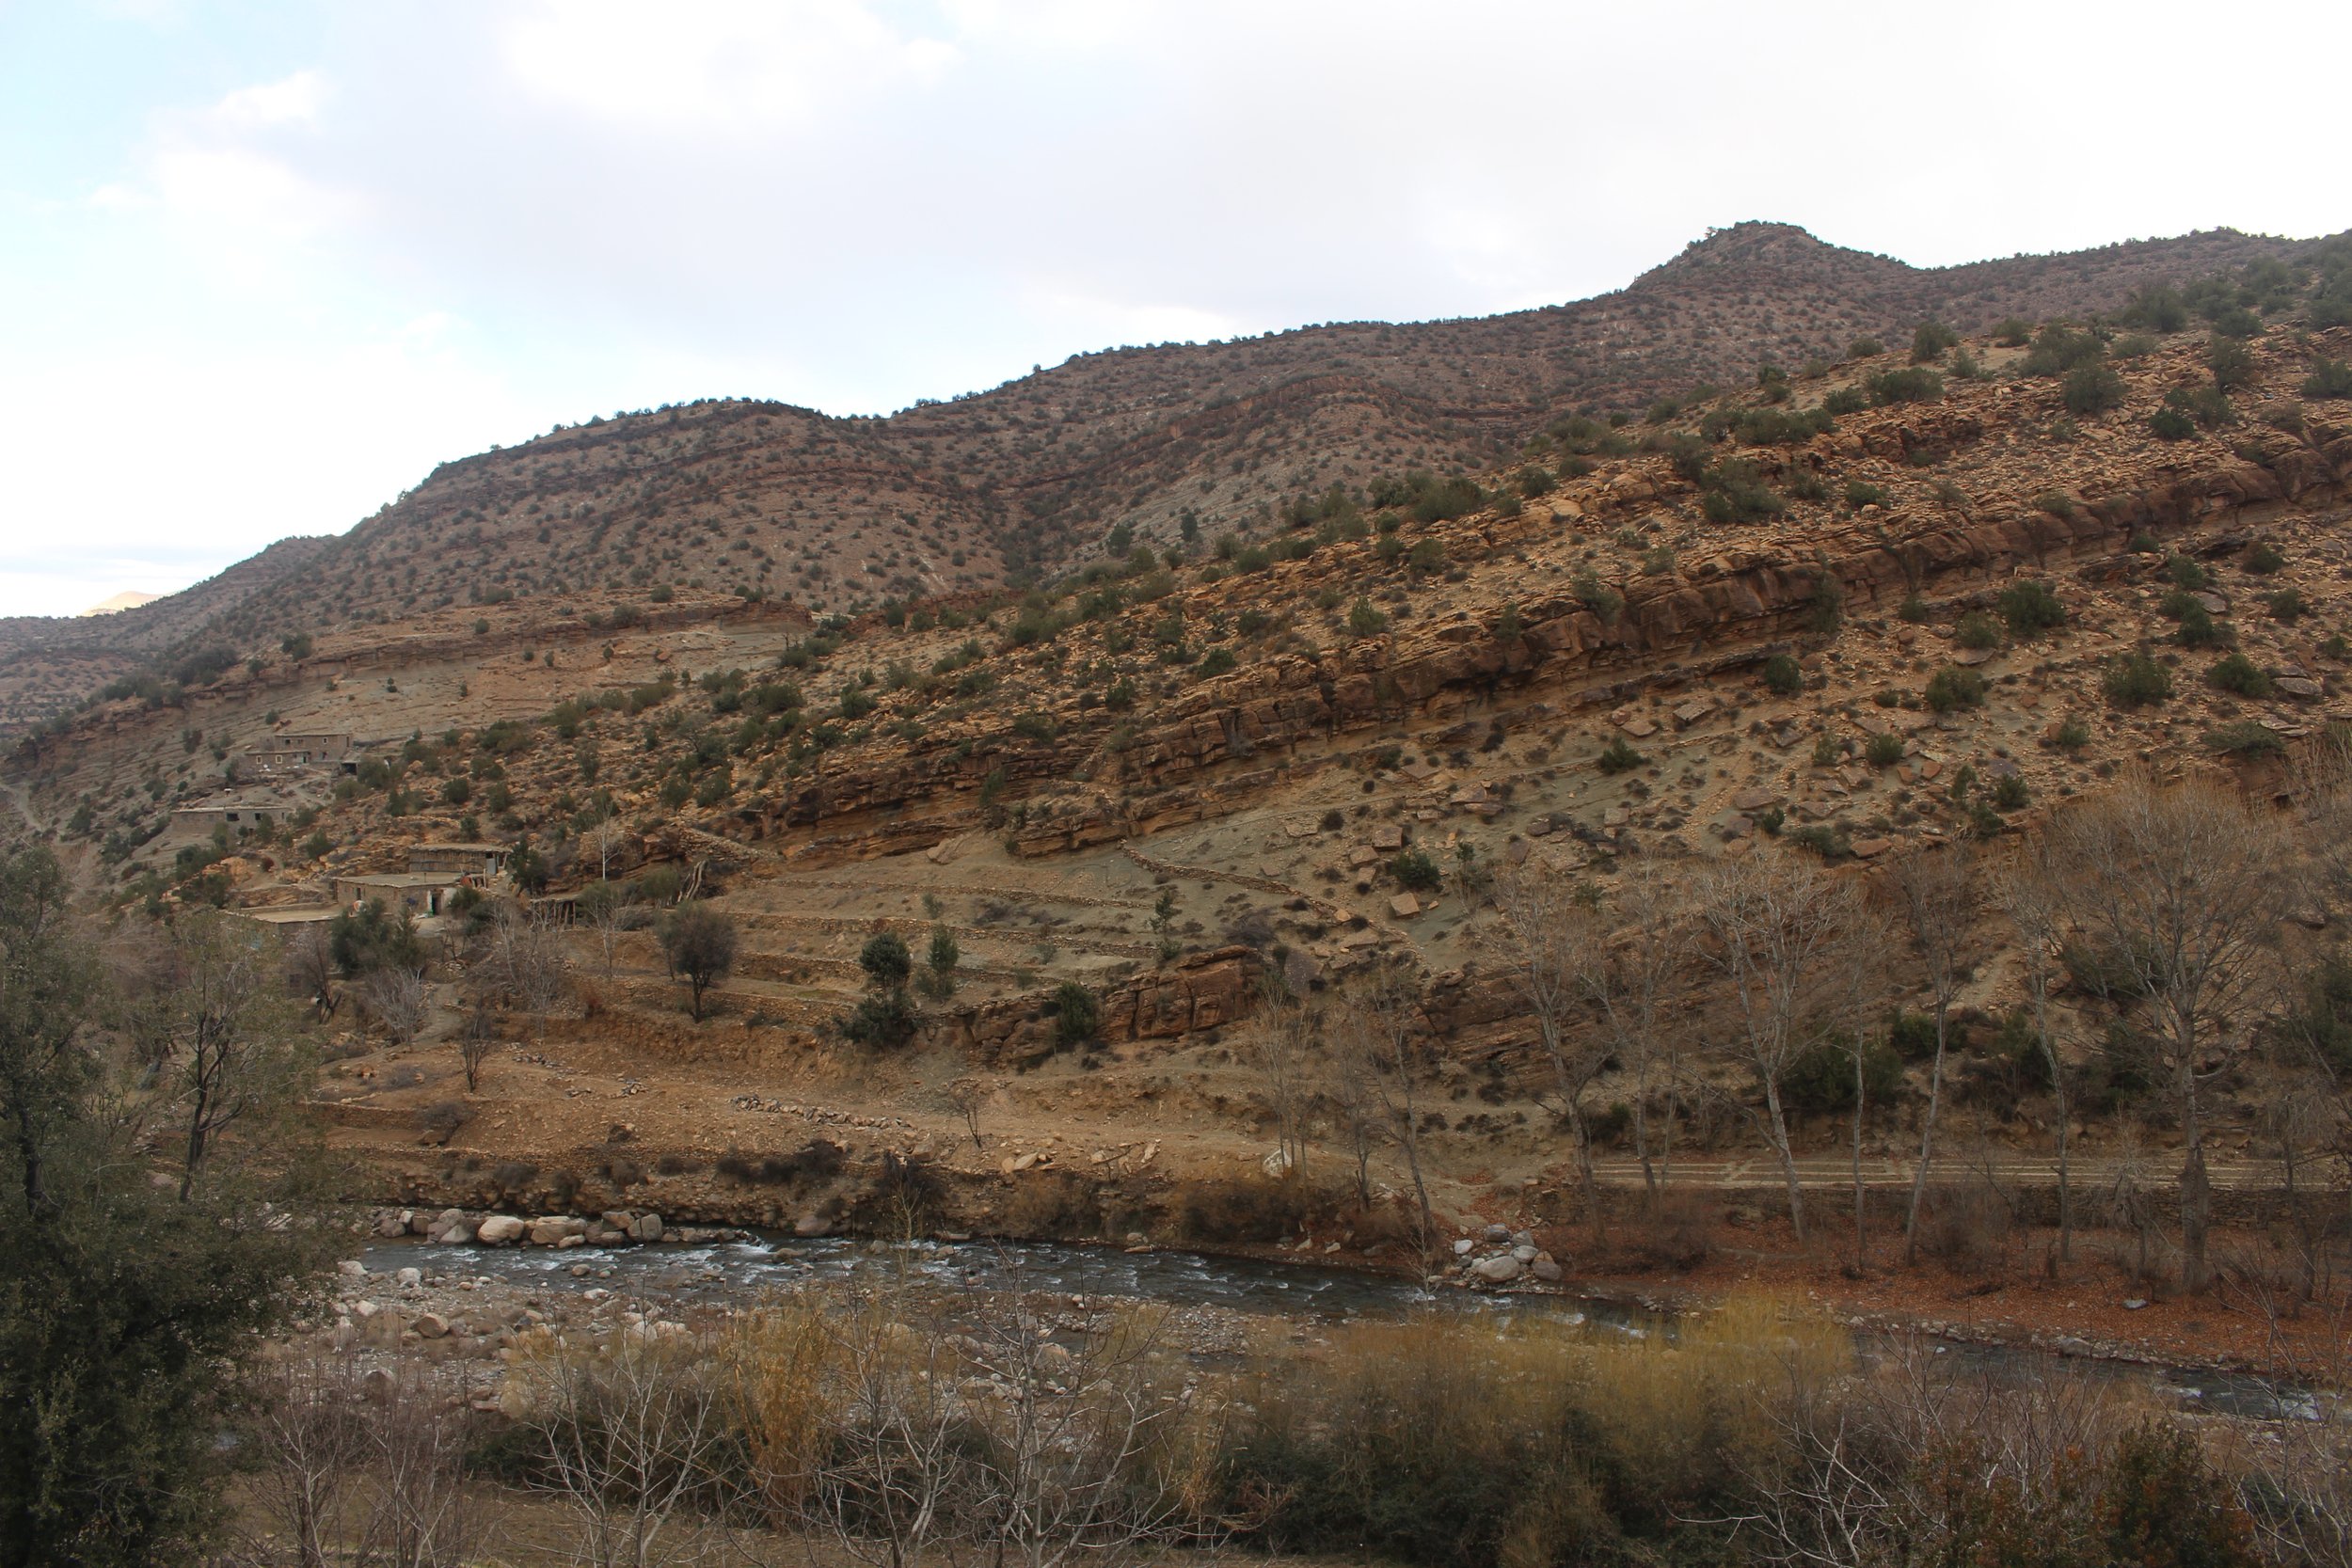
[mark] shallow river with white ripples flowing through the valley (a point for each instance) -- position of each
(740, 1273)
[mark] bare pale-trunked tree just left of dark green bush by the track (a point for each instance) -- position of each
(1784, 939)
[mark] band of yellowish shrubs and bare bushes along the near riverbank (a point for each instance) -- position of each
(897, 1423)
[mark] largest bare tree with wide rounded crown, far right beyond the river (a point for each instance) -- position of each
(2177, 894)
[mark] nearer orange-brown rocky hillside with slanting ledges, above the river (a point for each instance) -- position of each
(1840, 617)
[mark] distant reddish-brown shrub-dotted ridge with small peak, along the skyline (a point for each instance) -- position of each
(1161, 445)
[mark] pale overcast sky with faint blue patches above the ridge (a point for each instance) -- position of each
(265, 264)
